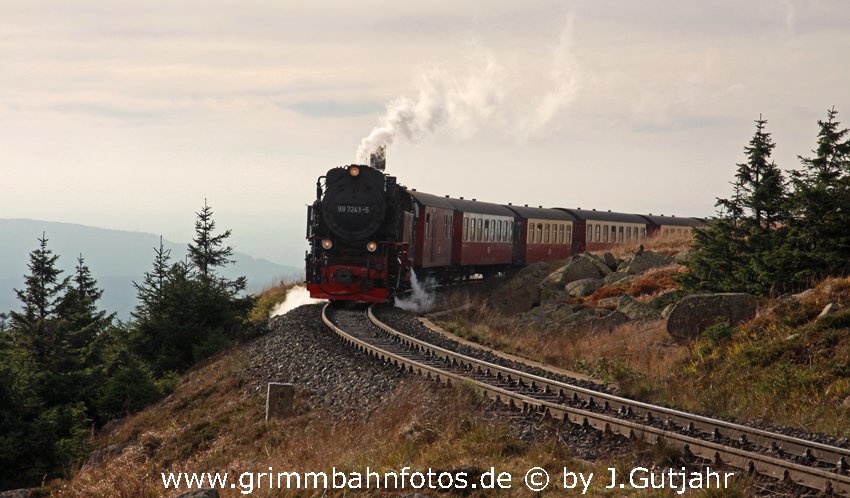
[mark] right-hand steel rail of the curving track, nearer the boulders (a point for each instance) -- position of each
(834, 456)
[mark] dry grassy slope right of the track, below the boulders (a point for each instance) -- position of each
(782, 367)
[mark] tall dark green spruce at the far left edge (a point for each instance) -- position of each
(49, 423)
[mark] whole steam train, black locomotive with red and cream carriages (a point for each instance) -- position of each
(367, 234)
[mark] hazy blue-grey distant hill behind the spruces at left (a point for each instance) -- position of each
(116, 258)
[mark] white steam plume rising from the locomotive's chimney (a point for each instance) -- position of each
(520, 98)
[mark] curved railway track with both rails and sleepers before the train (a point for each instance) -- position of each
(808, 463)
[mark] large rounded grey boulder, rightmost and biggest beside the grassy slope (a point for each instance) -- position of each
(695, 313)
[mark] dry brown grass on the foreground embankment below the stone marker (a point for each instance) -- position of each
(207, 425)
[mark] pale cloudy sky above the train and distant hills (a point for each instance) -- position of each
(128, 114)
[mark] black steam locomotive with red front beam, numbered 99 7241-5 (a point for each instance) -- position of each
(359, 231)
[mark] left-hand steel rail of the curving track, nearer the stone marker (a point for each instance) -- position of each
(750, 461)
